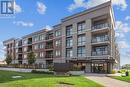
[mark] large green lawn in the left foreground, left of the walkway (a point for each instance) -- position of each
(42, 80)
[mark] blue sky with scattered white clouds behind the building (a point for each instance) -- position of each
(34, 15)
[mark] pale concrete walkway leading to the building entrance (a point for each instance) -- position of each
(106, 81)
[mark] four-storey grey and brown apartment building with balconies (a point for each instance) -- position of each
(86, 39)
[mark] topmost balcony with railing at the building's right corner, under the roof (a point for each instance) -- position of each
(102, 26)
